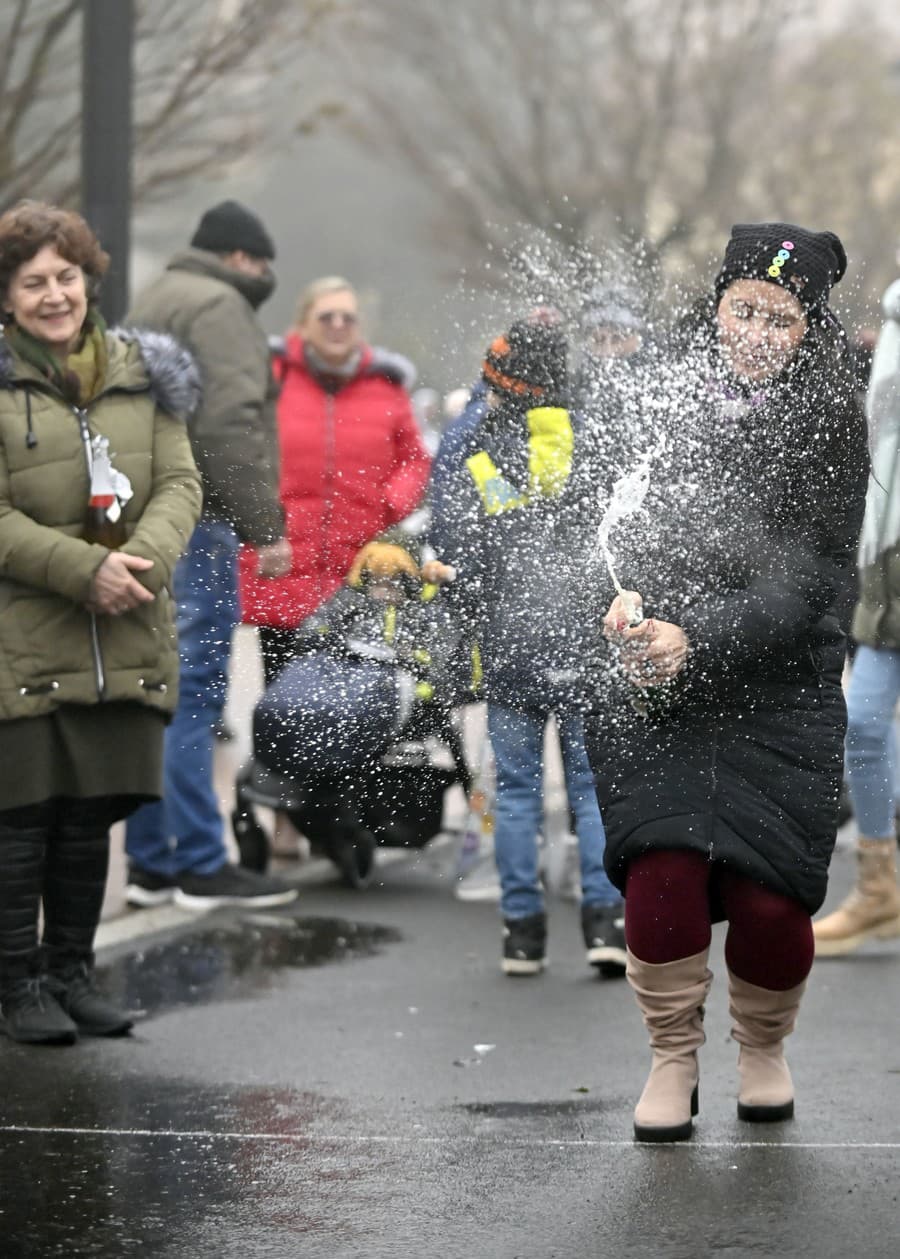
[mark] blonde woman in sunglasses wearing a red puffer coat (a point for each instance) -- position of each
(352, 461)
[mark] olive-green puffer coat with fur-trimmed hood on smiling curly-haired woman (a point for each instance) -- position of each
(53, 652)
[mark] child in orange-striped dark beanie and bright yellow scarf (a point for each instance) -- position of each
(514, 511)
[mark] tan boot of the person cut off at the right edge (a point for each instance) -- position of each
(873, 908)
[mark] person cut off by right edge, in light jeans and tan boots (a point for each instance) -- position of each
(873, 908)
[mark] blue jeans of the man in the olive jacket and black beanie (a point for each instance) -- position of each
(184, 833)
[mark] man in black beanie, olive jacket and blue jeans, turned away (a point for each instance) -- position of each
(208, 299)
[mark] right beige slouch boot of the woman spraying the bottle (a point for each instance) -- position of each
(762, 1020)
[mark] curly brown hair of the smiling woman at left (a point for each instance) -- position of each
(30, 226)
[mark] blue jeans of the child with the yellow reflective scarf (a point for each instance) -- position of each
(518, 743)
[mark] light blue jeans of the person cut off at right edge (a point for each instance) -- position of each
(872, 743)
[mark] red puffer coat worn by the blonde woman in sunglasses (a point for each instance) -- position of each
(353, 464)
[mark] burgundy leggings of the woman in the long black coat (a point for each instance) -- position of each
(770, 939)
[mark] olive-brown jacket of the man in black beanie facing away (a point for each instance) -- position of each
(212, 309)
